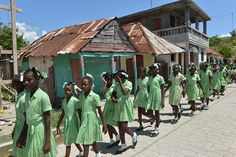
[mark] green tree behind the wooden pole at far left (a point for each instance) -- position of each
(6, 38)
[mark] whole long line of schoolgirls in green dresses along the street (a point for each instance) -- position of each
(33, 136)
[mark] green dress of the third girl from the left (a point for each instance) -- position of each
(71, 122)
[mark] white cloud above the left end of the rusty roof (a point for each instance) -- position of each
(30, 33)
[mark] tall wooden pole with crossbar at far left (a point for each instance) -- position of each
(13, 24)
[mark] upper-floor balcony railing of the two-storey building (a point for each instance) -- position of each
(180, 30)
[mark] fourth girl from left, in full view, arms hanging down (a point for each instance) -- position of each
(90, 131)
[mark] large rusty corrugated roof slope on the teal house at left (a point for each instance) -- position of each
(65, 40)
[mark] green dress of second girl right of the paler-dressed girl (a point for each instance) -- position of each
(205, 82)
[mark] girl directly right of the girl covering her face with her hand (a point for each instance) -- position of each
(141, 97)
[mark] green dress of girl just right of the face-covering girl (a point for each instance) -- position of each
(142, 95)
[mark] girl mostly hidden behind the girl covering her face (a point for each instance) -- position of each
(109, 111)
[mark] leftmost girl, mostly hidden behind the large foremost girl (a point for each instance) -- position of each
(17, 84)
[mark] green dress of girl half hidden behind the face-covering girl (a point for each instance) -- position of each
(109, 109)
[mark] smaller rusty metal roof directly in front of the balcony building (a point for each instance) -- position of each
(148, 42)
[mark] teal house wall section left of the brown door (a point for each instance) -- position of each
(62, 72)
